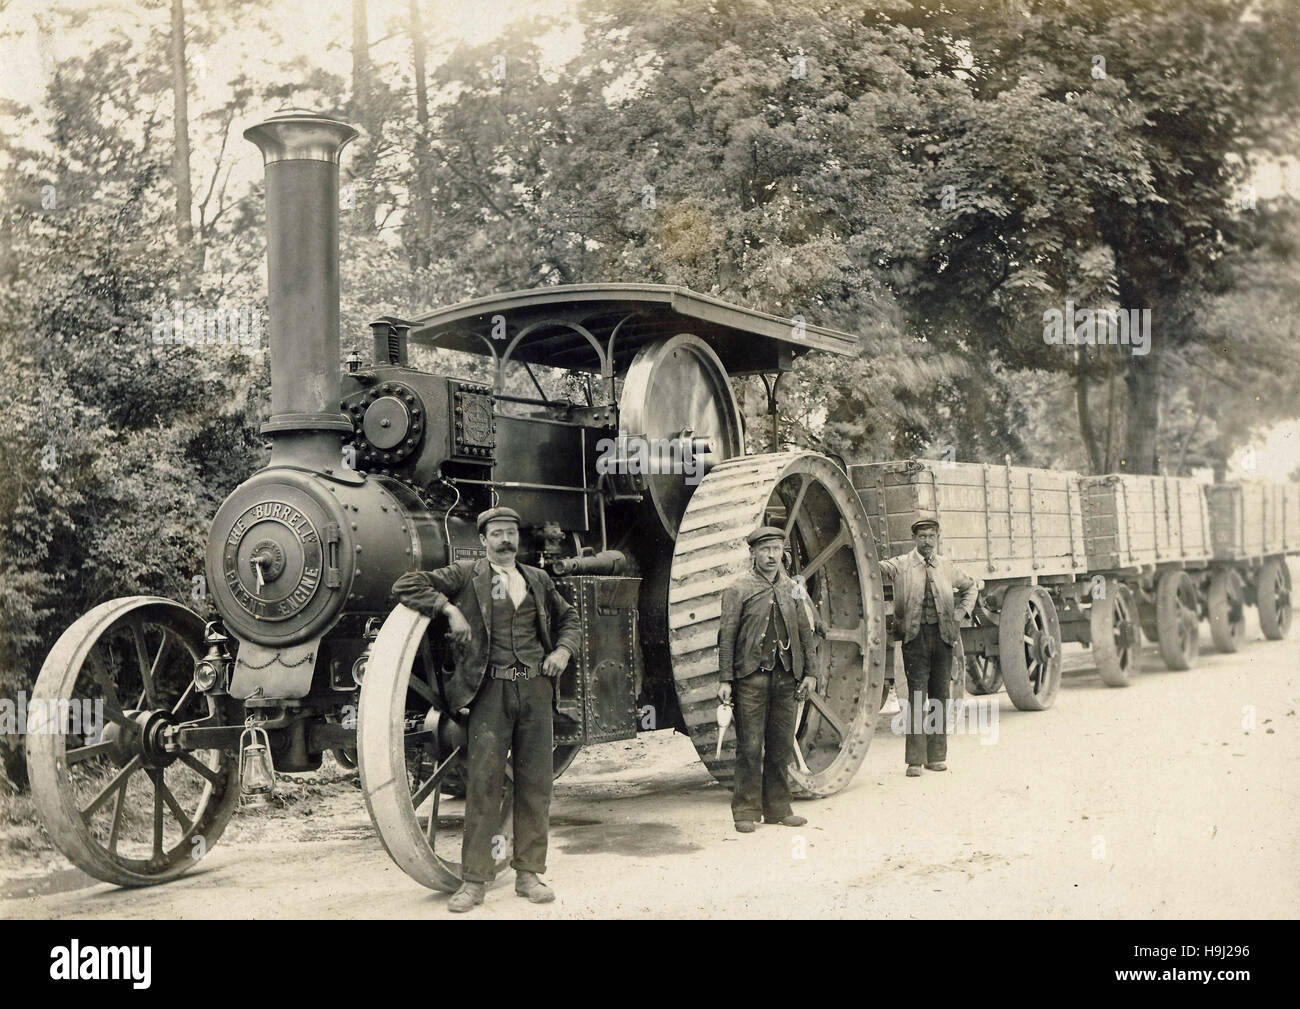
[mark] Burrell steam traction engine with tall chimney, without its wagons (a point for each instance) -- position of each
(382, 470)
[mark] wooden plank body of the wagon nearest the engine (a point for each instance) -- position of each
(999, 522)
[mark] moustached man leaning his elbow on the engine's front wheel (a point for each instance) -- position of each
(513, 635)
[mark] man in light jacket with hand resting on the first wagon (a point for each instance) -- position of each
(928, 618)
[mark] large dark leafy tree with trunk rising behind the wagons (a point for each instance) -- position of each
(1102, 159)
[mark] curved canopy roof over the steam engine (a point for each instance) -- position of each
(600, 328)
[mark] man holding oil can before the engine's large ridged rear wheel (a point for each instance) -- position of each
(765, 661)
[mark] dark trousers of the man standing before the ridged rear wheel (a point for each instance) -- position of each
(765, 744)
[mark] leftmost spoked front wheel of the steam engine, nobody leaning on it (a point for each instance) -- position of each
(114, 799)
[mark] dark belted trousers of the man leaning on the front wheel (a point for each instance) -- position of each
(509, 717)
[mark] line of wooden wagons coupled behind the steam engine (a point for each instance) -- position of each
(1097, 560)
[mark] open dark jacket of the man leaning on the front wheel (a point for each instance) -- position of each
(469, 586)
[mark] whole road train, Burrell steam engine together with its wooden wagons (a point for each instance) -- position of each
(379, 467)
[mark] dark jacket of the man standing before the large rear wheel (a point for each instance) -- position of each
(747, 607)
